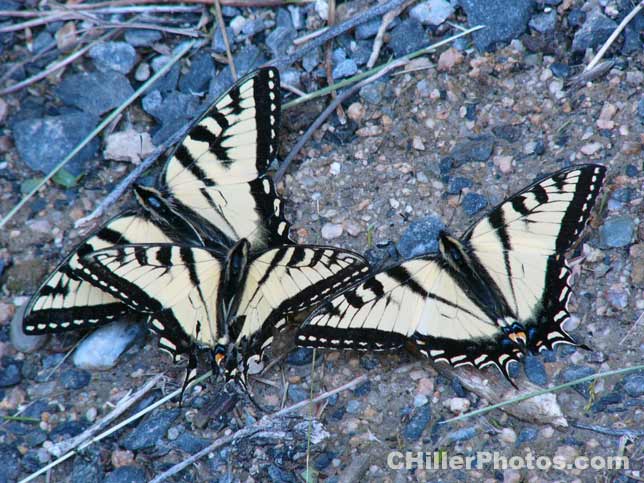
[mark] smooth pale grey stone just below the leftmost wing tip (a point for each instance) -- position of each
(102, 348)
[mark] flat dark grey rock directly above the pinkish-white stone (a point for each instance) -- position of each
(95, 93)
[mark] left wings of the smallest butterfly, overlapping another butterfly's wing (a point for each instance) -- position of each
(176, 285)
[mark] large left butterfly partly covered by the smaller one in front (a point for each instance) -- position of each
(199, 200)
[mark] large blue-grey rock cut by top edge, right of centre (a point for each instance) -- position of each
(504, 20)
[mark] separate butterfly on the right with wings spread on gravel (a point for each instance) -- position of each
(485, 298)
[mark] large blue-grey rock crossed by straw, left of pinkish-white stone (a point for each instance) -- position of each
(57, 136)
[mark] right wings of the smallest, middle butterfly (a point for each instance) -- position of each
(286, 280)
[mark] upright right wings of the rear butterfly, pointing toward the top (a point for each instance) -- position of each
(217, 178)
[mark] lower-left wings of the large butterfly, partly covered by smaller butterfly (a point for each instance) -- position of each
(65, 301)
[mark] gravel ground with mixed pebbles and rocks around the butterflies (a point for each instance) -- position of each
(433, 147)
